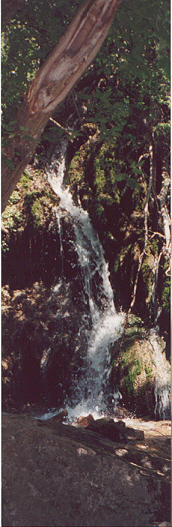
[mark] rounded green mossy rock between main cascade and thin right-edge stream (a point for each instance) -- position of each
(135, 376)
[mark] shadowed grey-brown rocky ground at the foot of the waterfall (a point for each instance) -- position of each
(62, 475)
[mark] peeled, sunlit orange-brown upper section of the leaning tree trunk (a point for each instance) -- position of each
(74, 52)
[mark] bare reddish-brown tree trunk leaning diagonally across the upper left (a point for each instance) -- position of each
(70, 58)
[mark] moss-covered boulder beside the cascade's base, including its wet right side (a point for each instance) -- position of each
(135, 371)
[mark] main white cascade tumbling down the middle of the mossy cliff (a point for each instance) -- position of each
(106, 327)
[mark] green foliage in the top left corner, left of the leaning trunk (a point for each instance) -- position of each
(33, 32)
